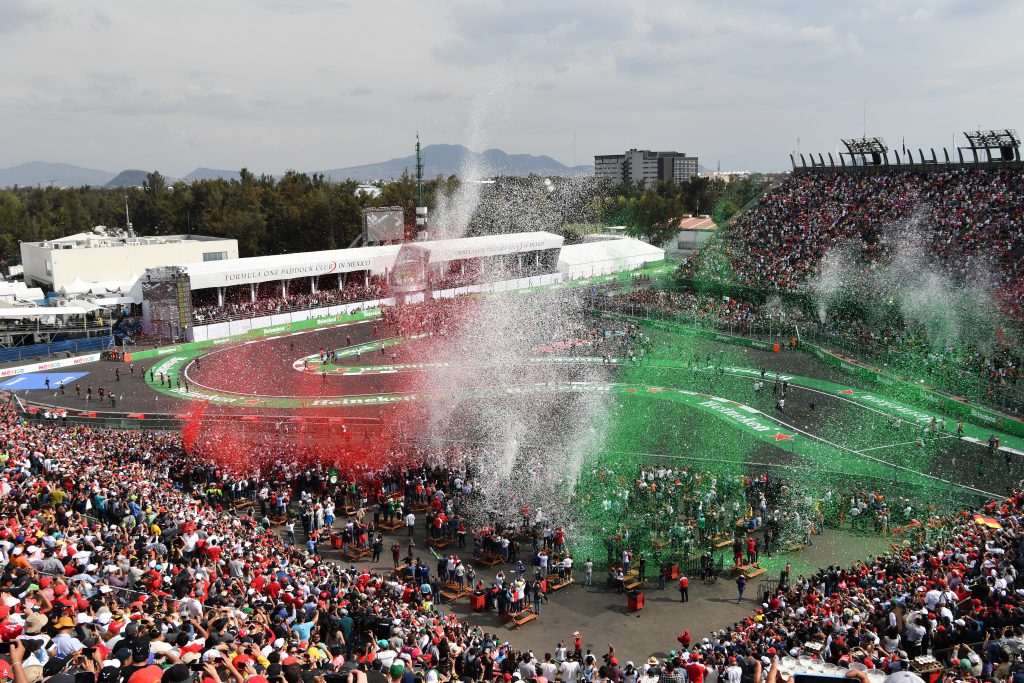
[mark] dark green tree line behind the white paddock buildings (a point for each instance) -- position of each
(305, 212)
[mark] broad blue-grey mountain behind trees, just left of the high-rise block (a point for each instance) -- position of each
(449, 160)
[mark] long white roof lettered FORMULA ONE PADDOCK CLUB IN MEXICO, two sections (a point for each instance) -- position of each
(375, 260)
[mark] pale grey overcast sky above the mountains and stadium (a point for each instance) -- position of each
(317, 84)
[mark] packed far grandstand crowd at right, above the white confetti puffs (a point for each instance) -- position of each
(972, 220)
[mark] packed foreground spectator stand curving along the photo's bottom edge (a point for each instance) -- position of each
(125, 561)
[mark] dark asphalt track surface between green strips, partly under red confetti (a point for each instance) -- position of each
(267, 368)
